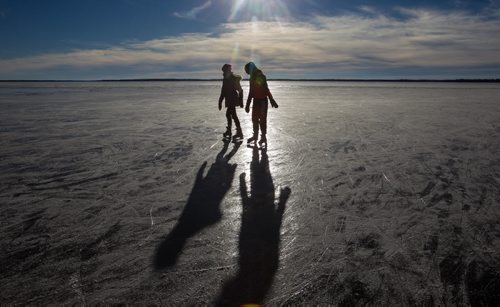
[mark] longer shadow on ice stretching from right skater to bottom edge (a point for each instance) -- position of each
(259, 238)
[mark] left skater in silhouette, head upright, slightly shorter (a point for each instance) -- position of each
(232, 93)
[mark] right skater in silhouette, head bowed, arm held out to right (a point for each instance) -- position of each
(259, 92)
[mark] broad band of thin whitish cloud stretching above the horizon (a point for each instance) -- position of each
(424, 39)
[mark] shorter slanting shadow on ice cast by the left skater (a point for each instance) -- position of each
(202, 207)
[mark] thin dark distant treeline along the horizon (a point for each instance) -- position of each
(270, 79)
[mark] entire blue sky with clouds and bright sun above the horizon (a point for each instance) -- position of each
(303, 39)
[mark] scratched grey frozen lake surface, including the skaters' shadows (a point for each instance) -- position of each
(368, 193)
